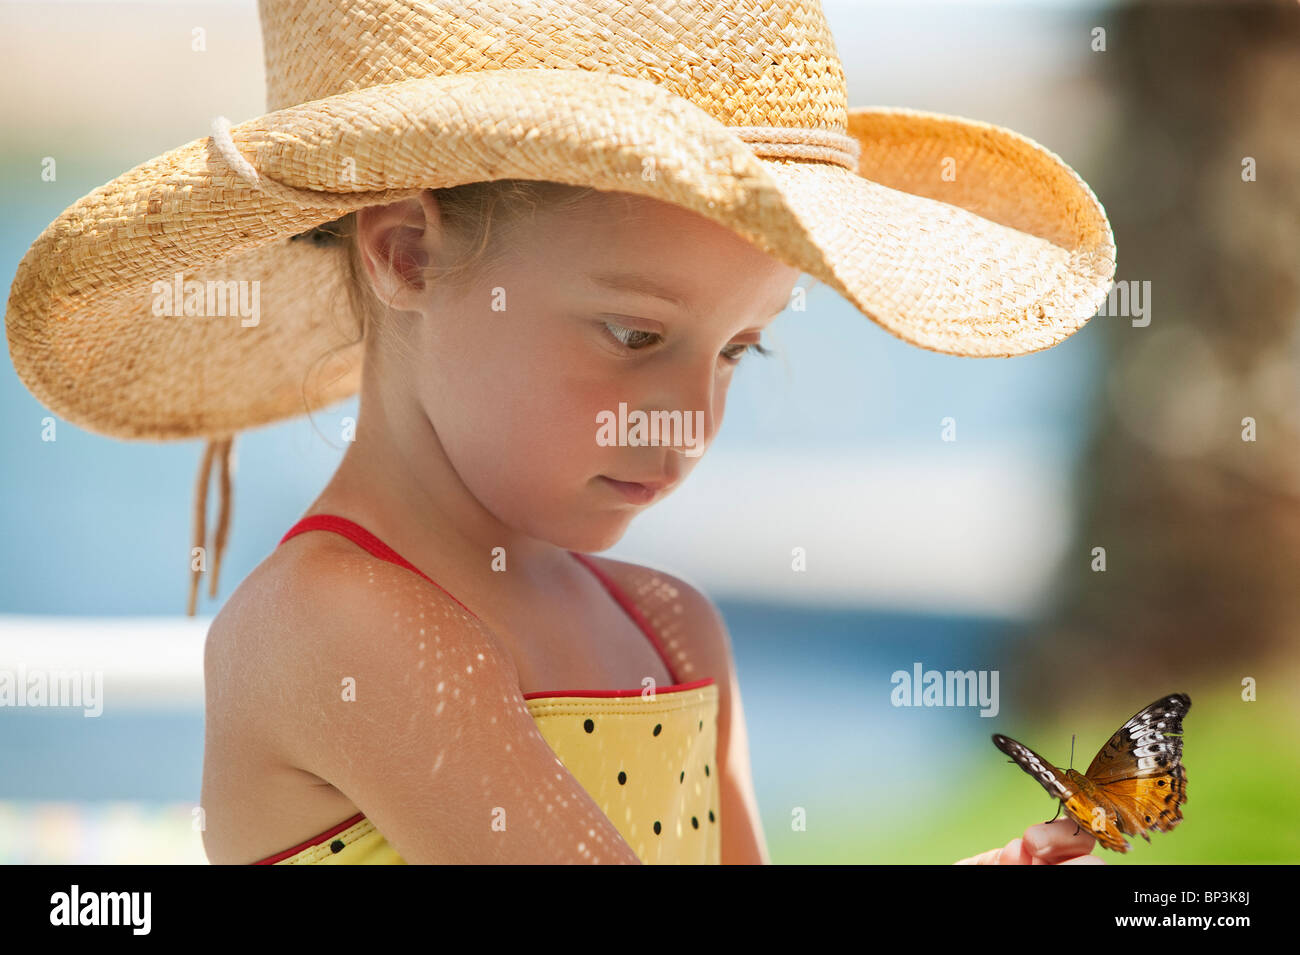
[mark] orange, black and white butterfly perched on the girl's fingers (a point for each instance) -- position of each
(1136, 784)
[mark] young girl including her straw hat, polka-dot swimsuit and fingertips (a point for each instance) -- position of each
(508, 236)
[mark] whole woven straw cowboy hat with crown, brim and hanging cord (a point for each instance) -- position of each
(955, 236)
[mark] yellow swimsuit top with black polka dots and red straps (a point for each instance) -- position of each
(648, 762)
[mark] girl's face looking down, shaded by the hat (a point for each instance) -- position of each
(619, 305)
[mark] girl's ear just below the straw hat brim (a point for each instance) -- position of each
(397, 244)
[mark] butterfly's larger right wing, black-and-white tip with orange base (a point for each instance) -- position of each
(1141, 770)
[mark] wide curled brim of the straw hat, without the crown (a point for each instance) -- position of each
(955, 236)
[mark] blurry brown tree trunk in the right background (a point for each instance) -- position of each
(1201, 528)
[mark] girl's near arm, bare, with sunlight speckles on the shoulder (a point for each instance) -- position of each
(428, 735)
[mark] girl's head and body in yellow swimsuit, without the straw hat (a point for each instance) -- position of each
(476, 462)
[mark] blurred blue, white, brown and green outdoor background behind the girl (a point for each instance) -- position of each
(976, 554)
